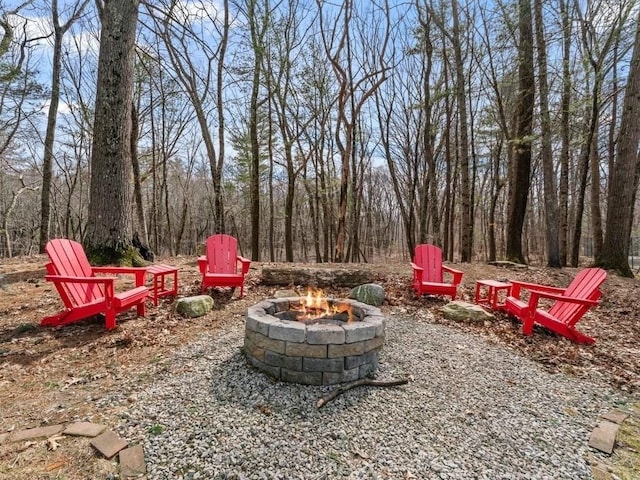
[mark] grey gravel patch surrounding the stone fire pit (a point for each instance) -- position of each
(472, 410)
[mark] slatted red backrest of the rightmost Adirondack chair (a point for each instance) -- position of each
(586, 285)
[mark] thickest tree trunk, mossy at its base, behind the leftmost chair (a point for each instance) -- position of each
(108, 238)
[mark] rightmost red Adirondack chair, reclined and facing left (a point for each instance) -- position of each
(569, 304)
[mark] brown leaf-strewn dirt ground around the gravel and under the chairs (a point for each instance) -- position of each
(59, 375)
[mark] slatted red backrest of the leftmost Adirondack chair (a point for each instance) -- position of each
(69, 260)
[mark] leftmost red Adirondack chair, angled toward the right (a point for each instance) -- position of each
(84, 293)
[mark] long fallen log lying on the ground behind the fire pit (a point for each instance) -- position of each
(316, 276)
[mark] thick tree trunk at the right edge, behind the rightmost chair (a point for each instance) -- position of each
(615, 248)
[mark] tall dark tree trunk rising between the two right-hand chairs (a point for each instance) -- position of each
(520, 171)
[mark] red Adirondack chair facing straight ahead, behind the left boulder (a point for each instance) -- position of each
(222, 266)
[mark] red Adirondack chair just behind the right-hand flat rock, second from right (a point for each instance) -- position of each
(428, 273)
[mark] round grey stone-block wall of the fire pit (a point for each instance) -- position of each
(313, 354)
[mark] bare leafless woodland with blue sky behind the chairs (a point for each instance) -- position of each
(319, 131)
